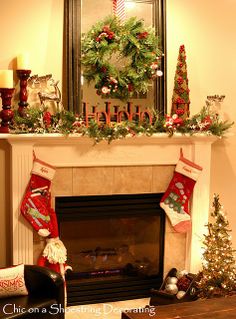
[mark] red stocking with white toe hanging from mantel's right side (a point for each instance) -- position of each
(175, 201)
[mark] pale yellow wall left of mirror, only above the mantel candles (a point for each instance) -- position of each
(34, 27)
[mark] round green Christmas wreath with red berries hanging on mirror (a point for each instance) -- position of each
(132, 46)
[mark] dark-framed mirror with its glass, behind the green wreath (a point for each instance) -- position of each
(79, 17)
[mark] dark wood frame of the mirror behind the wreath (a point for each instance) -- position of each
(71, 55)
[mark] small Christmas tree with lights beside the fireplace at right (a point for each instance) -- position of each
(218, 277)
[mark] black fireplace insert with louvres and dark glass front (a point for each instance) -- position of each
(115, 245)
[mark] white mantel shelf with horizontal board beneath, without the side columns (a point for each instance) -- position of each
(138, 150)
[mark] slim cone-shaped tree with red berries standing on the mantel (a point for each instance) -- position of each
(180, 98)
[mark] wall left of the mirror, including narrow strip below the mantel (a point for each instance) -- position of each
(35, 27)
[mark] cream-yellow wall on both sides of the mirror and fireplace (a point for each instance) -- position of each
(206, 28)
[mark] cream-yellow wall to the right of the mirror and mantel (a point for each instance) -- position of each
(208, 30)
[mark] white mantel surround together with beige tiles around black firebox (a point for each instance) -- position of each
(132, 165)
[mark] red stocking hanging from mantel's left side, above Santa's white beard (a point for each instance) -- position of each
(36, 203)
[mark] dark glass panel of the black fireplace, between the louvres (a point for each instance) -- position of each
(111, 246)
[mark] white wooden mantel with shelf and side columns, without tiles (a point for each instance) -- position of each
(77, 151)
